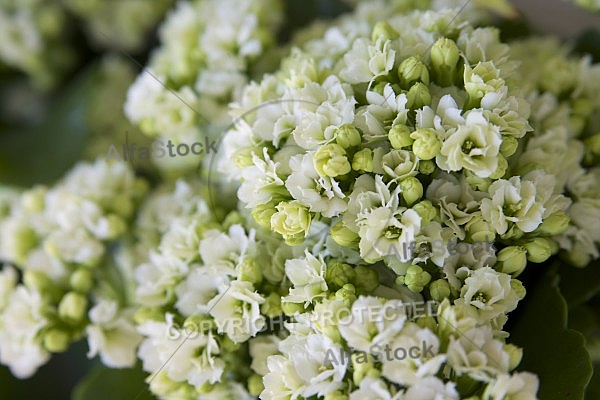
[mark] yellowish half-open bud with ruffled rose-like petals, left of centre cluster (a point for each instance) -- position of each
(292, 221)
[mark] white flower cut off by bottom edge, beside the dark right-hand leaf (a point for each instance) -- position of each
(519, 386)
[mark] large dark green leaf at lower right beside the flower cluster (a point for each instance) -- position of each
(550, 349)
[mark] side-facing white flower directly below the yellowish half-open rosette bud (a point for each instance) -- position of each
(308, 279)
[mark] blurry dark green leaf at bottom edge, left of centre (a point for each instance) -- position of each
(115, 384)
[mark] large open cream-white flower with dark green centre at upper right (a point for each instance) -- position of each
(474, 146)
